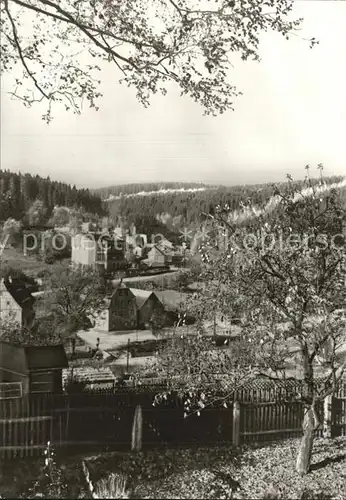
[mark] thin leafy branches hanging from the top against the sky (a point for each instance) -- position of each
(60, 46)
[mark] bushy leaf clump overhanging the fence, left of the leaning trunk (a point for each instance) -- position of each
(202, 374)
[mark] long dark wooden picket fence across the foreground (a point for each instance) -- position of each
(104, 421)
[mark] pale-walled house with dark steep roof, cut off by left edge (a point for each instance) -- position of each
(16, 303)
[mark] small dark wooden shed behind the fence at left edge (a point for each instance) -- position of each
(37, 368)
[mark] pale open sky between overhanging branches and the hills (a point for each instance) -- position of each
(292, 113)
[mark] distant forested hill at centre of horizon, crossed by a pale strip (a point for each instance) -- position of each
(185, 204)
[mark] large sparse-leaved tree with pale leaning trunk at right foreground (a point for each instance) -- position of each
(288, 293)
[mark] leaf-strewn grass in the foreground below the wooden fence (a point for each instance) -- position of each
(257, 471)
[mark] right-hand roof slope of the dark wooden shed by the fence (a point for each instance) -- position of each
(46, 357)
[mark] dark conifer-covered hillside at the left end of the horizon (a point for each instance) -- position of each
(19, 191)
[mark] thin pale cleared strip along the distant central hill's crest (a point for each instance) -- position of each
(146, 188)
